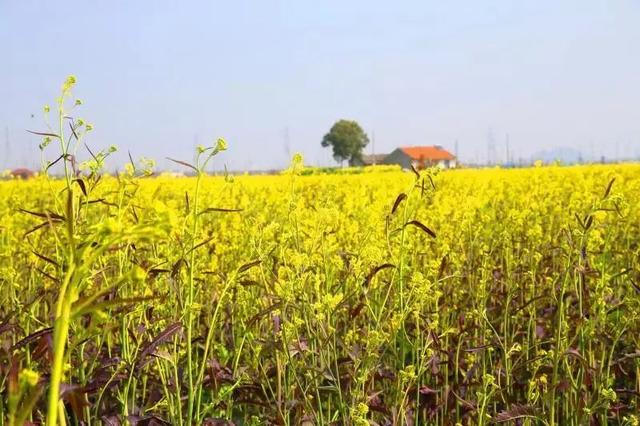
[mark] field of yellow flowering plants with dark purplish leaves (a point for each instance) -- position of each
(387, 297)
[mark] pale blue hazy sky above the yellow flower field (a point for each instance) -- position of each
(271, 77)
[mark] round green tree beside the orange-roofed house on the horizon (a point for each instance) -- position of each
(347, 139)
